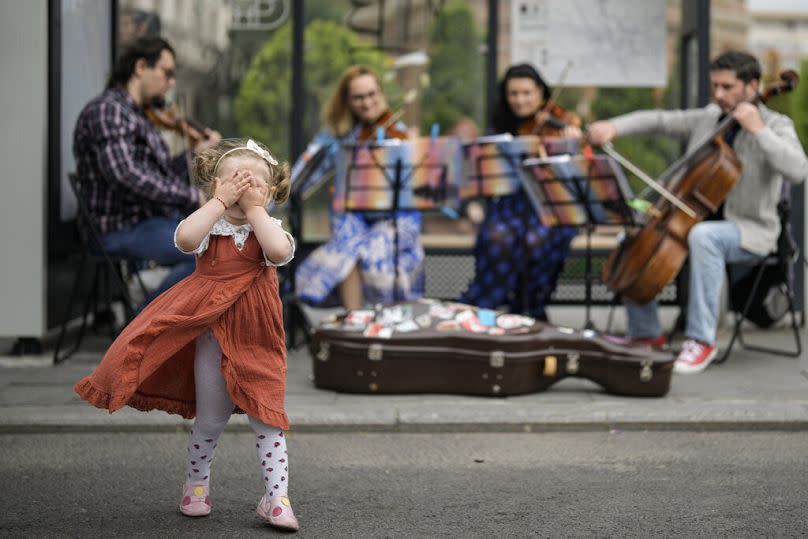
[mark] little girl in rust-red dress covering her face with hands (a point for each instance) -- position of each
(214, 343)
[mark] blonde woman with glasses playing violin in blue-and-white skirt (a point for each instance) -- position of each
(355, 266)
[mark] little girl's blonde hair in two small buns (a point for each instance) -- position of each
(207, 162)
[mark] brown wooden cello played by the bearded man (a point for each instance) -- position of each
(649, 258)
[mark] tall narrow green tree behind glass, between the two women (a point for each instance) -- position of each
(455, 72)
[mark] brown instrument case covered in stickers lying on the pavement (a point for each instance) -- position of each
(428, 346)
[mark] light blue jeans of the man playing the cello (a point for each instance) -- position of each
(713, 245)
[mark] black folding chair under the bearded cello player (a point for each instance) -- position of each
(782, 261)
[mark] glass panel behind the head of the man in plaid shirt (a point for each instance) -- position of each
(233, 62)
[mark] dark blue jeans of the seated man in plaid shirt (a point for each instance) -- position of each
(152, 239)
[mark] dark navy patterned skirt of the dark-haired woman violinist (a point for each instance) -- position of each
(517, 260)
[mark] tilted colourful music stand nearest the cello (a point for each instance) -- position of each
(579, 191)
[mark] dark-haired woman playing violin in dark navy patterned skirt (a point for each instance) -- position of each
(517, 259)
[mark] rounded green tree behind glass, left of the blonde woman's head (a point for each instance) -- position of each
(264, 103)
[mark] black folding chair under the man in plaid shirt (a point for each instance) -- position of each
(106, 270)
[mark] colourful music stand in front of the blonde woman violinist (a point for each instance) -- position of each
(395, 175)
